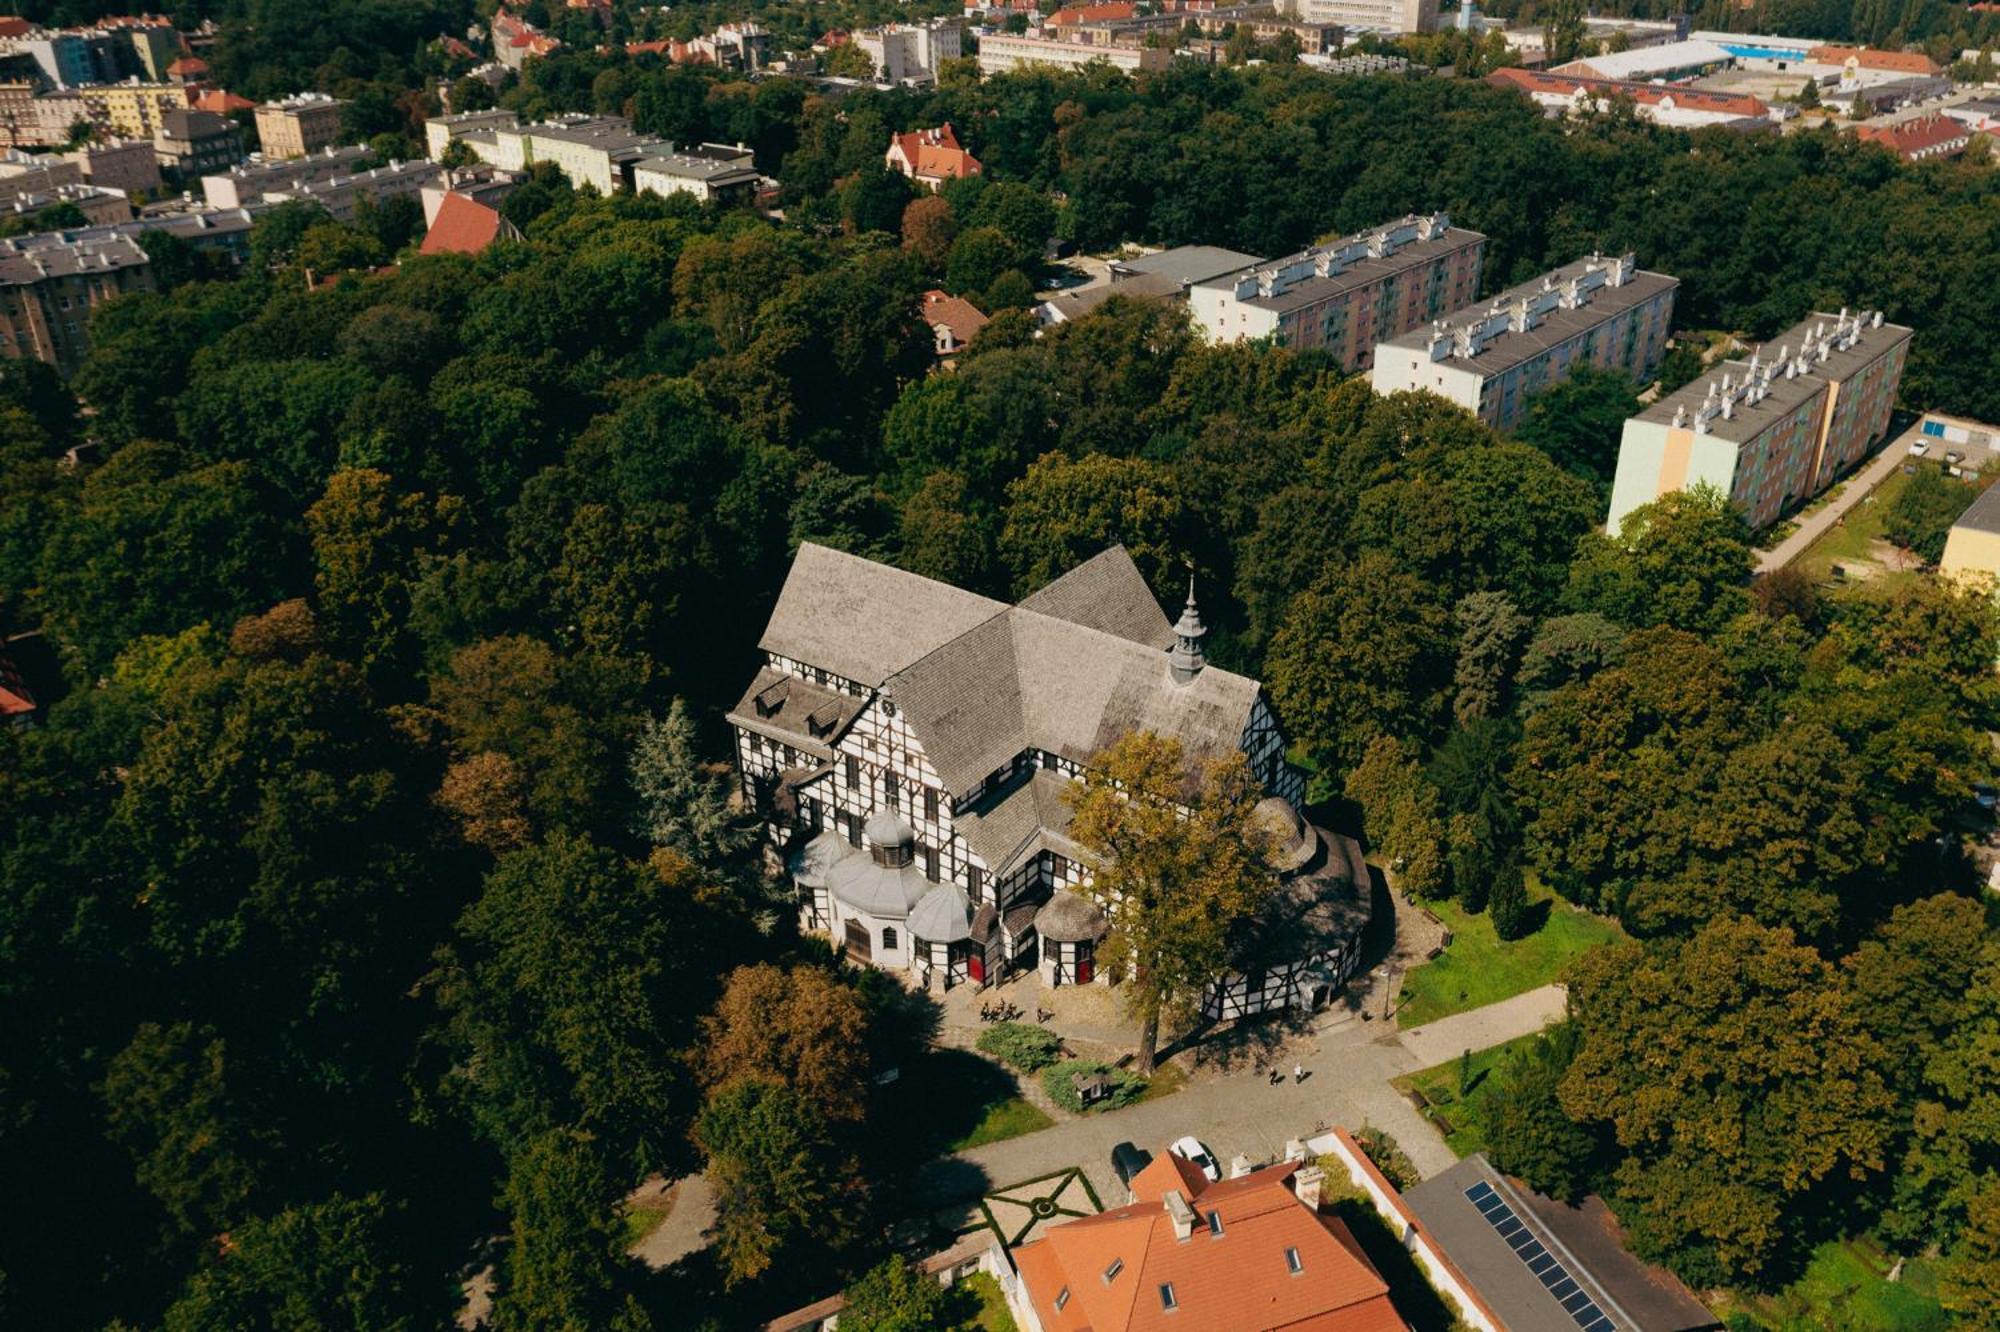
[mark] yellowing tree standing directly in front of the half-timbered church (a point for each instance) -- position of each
(1181, 863)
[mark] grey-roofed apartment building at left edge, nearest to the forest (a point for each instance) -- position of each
(49, 285)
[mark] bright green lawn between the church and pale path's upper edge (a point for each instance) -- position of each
(1481, 971)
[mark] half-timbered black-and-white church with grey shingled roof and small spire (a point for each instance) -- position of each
(911, 743)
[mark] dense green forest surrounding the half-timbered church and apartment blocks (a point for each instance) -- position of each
(369, 911)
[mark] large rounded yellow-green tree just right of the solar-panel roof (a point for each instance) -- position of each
(1739, 1077)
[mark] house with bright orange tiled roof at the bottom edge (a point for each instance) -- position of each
(1199, 1255)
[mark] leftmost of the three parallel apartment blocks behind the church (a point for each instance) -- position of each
(1347, 295)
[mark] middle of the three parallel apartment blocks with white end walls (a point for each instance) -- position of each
(1493, 357)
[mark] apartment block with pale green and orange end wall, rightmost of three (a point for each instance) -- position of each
(1775, 429)
